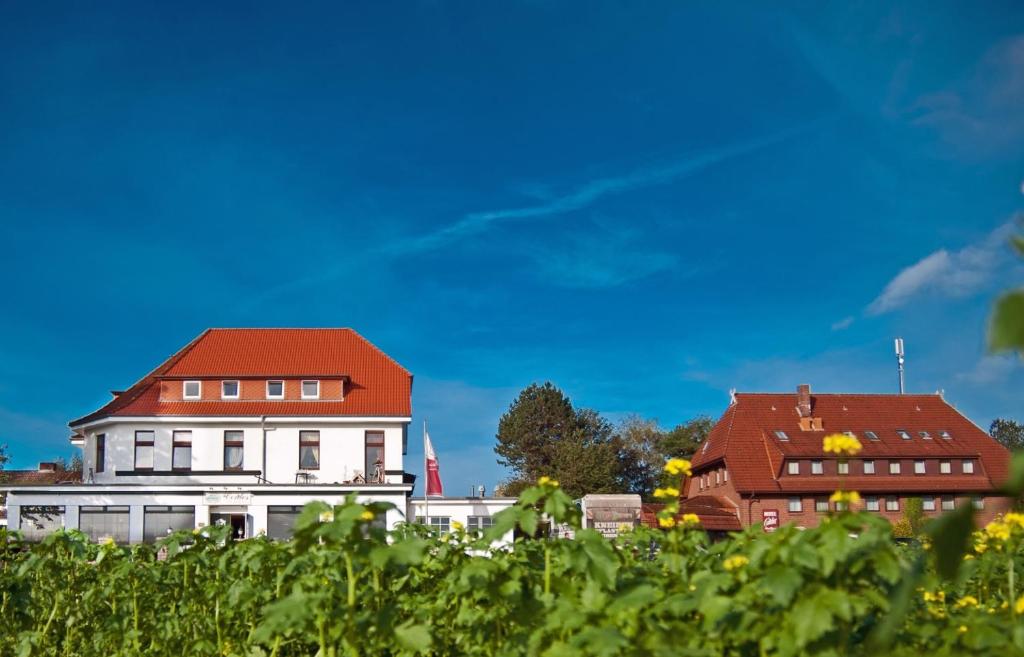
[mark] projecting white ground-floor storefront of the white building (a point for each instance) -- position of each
(132, 514)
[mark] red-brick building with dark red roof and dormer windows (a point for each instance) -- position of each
(765, 461)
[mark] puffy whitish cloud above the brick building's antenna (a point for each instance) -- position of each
(951, 274)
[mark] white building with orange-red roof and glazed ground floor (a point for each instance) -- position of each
(242, 426)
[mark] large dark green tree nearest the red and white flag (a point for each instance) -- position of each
(543, 435)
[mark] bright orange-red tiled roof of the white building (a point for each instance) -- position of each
(377, 385)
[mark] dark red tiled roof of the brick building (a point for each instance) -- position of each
(745, 439)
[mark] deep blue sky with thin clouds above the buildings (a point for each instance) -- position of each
(648, 205)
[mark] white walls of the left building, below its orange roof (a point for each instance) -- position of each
(135, 505)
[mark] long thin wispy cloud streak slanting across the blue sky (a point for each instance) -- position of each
(591, 193)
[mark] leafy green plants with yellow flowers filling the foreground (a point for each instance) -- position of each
(339, 588)
